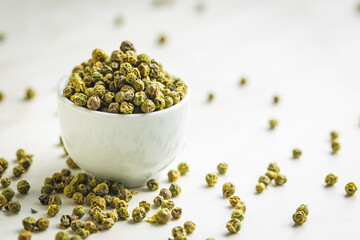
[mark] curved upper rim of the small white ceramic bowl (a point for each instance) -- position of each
(64, 80)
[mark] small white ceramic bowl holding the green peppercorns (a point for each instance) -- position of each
(127, 148)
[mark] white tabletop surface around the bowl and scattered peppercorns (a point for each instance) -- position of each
(305, 51)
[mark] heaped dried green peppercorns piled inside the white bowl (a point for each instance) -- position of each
(124, 82)
